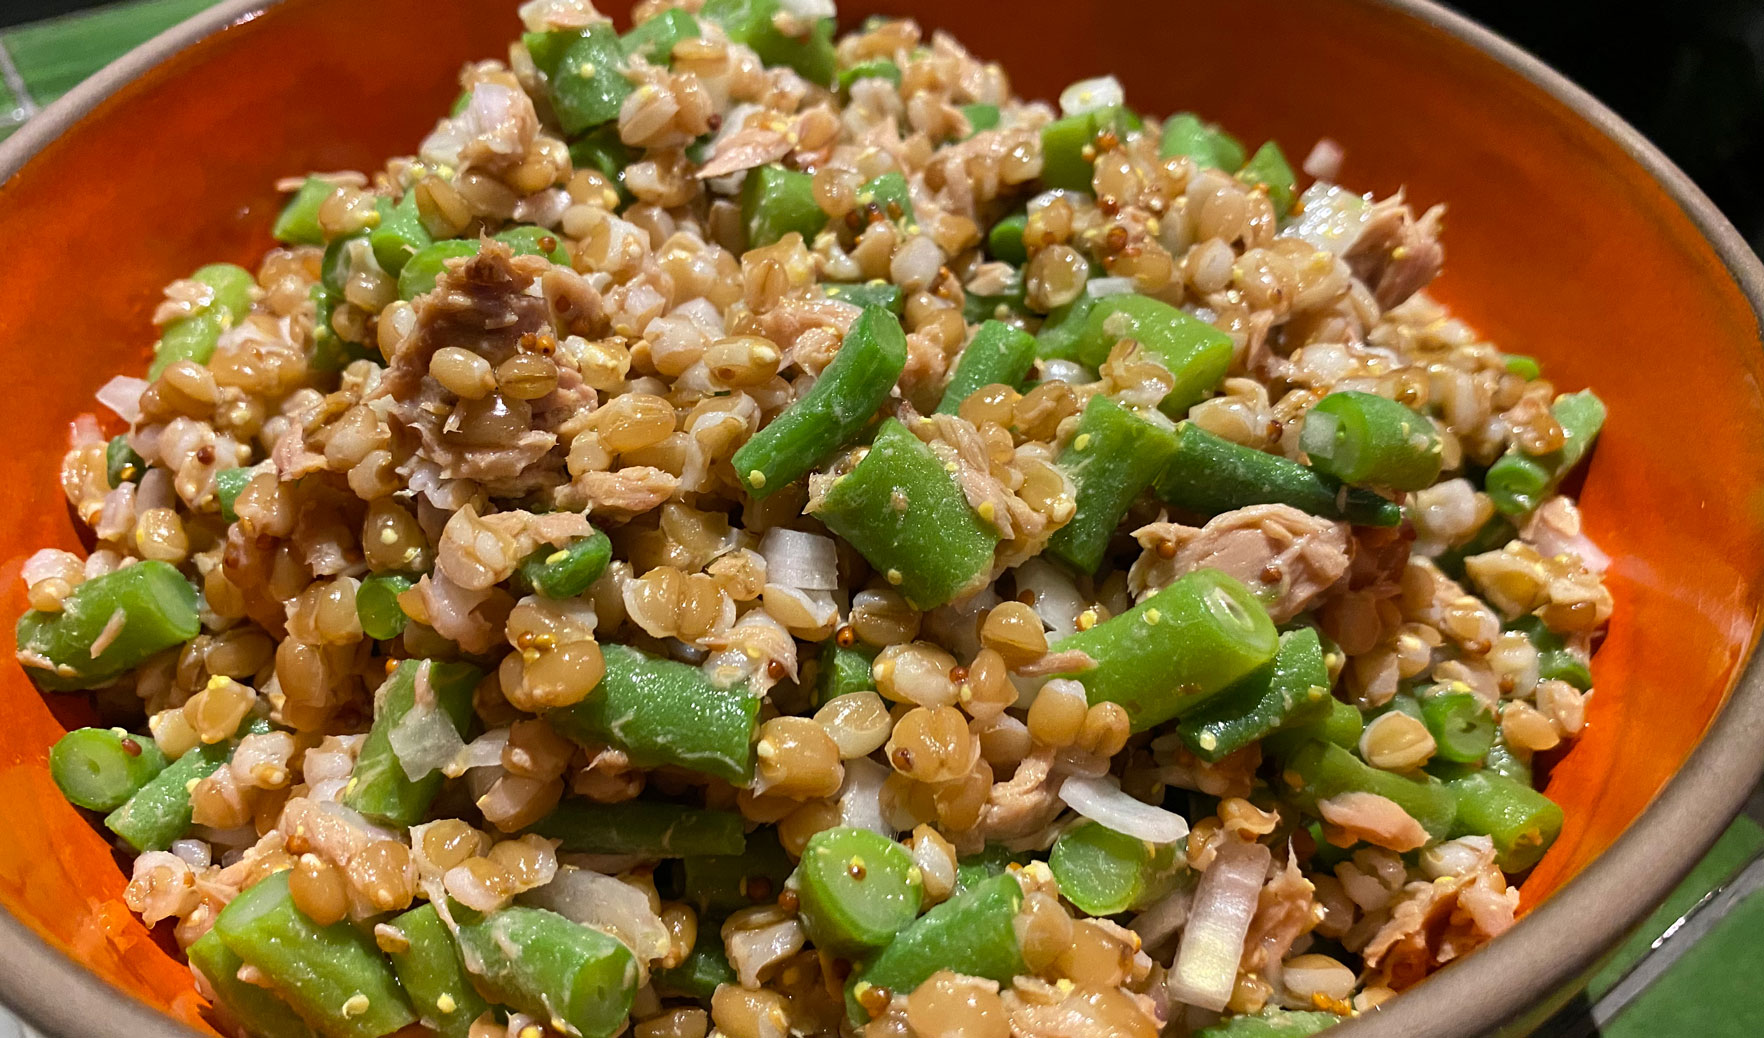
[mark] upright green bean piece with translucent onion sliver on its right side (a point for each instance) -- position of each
(380, 786)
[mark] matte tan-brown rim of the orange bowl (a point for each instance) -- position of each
(1555, 945)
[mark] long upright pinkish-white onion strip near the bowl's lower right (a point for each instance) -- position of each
(1213, 944)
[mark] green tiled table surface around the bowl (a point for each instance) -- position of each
(1691, 972)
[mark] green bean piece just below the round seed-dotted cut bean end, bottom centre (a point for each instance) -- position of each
(973, 933)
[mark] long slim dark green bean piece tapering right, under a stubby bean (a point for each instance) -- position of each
(1211, 476)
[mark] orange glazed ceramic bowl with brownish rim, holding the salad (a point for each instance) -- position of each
(1571, 239)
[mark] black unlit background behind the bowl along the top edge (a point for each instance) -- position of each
(1689, 75)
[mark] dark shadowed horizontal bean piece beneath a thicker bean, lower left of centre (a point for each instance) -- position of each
(643, 827)
